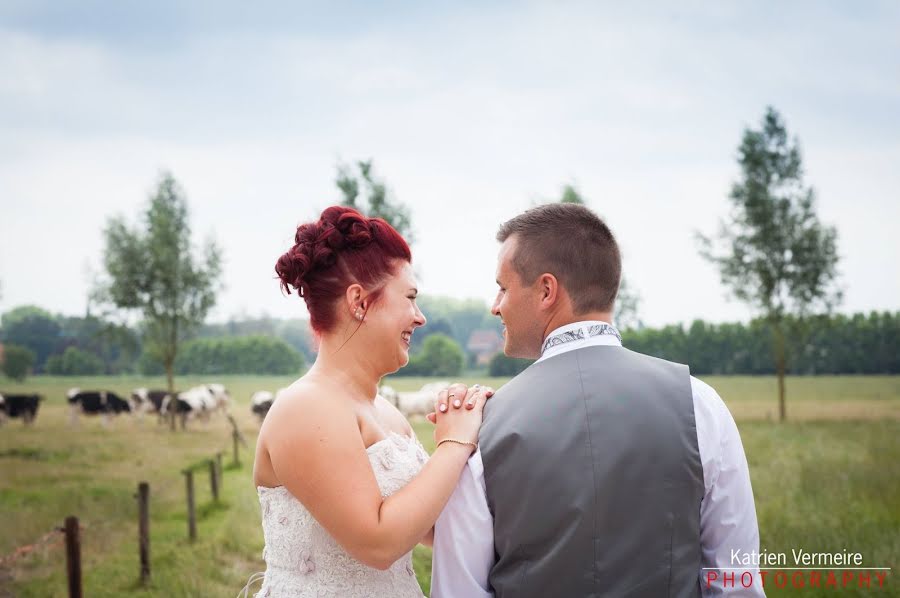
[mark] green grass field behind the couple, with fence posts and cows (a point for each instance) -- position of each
(827, 480)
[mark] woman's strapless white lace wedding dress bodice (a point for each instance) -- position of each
(303, 560)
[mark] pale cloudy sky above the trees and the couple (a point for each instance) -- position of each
(472, 113)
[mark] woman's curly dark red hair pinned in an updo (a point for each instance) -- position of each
(342, 248)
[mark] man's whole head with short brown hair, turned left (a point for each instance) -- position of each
(558, 263)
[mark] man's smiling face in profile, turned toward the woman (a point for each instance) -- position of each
(517, 305)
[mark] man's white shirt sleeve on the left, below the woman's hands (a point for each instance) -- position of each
(464, 539)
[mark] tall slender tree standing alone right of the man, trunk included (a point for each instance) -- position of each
(772, 251)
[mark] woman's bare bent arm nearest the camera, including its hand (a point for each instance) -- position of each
(318, 455)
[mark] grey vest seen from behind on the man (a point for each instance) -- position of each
(594, 479)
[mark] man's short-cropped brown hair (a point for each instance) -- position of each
(572, 243)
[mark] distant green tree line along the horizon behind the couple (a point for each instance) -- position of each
(829, 344)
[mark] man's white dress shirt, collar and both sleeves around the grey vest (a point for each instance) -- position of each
(464, 532)
